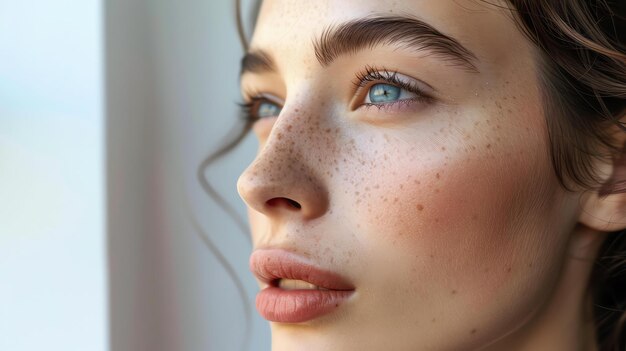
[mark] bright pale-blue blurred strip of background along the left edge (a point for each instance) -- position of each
(52, 244)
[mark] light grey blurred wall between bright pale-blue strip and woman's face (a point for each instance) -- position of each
(171, 79)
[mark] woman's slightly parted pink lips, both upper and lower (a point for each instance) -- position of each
(295, 306)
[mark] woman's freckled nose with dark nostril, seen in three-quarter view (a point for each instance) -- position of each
(285, 178)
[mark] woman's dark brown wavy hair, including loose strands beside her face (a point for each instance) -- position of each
(582, 56)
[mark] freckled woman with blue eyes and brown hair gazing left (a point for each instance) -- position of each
(438, 175)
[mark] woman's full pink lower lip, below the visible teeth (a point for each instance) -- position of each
(297, 306)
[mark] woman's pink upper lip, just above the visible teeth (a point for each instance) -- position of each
(270, 265)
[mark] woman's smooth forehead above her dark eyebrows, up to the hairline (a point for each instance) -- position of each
(287, 29)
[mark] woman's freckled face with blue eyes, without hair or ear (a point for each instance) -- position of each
(409, 166)
